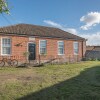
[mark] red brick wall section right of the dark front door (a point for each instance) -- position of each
(52, 49)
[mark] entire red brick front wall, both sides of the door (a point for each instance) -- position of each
(52, 48)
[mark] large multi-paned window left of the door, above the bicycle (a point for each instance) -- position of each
(6, 46)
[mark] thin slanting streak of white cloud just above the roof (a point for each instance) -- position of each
(53, 24)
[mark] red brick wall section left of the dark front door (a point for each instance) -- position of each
(17, 51)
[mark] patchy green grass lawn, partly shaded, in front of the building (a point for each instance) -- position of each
(79, 81)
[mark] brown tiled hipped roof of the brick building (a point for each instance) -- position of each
(28, 29)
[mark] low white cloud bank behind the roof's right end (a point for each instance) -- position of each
(93, 39)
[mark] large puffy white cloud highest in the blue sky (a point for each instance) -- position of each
(91, 19)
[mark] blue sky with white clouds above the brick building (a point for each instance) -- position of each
(80, 17)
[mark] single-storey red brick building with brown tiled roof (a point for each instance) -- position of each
(41, 42)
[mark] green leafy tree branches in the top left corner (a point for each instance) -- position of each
(4, 7)
